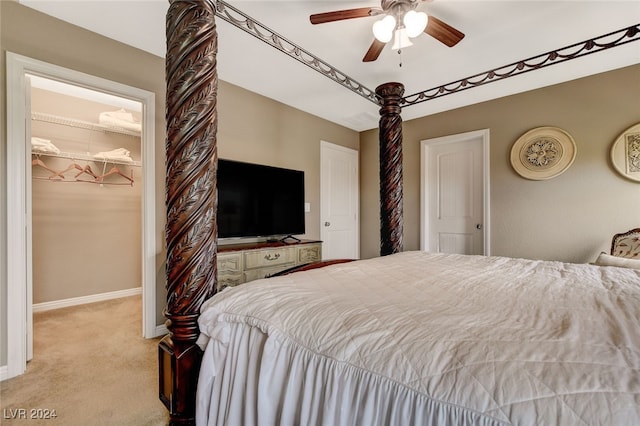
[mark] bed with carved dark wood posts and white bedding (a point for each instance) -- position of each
(410, 337)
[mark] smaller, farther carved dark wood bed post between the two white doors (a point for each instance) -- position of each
(390, 95)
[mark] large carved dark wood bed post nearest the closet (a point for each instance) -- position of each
(192, 86)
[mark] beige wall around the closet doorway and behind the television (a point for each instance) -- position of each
(251, 127)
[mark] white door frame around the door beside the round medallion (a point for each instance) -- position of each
(424, 188)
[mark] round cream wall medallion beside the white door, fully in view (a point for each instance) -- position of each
(543, 153)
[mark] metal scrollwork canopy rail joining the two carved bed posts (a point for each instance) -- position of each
(267, 35)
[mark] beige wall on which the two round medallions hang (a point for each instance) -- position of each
(571, 217)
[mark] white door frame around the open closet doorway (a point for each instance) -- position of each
(18, 172)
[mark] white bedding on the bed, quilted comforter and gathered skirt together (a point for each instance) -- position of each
(422, 338)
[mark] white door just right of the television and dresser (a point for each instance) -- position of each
(339, 211)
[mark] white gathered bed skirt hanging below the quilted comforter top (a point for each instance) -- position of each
(294, 386)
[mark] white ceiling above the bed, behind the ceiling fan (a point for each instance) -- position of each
(497, 33)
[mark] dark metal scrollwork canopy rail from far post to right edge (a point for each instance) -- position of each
(558, 56)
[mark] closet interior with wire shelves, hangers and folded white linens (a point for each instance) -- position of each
(86, 195)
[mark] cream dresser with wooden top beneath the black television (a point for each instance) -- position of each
(239, 263)
